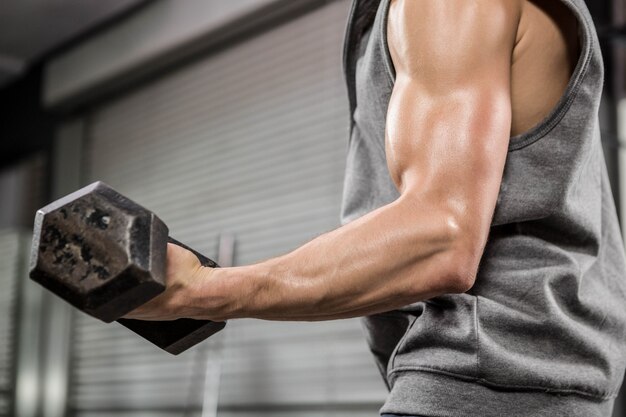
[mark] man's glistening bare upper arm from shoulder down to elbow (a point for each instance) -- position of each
(449, 116)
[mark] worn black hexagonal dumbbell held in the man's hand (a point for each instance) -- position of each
(106, 256)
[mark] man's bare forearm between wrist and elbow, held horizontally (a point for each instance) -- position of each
(391, 257)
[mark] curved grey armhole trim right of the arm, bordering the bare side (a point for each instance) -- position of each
(567, 98)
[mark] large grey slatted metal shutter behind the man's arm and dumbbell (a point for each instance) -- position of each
(250, 142)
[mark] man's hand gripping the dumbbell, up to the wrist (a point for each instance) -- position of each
(183, 277)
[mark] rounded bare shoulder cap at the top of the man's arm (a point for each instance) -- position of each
(456, 30)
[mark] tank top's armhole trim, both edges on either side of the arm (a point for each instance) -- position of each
(558, 111)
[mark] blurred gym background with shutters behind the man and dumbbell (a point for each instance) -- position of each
(228, 118)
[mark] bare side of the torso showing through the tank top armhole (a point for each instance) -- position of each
(544, 57)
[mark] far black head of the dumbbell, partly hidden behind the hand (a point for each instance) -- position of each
(179, 335)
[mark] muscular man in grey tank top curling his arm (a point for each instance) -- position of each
(480, 235)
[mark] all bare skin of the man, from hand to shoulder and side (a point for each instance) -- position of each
(489, 74)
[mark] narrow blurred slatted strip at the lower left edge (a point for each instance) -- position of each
(9, 268)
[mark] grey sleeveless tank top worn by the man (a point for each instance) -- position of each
(545, 324)
